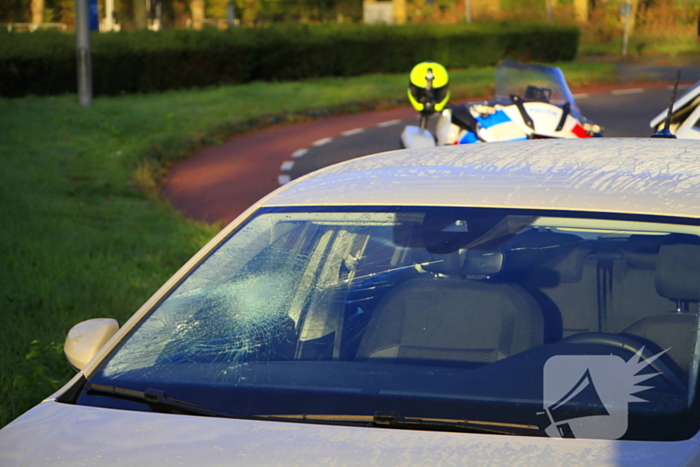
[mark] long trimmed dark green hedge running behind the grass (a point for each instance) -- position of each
(44, 63)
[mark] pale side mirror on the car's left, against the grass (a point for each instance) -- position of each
(85, 339)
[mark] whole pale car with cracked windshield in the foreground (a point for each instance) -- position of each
(530, 303)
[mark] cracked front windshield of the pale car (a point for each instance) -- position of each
(576, 325)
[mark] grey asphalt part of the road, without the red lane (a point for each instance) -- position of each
(622, 113)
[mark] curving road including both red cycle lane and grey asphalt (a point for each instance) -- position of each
(219, 183)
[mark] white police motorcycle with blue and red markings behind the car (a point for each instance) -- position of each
(531, 102)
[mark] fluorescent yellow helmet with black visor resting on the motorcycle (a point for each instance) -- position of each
(428, 88)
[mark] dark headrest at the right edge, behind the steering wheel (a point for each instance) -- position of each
(678, 272)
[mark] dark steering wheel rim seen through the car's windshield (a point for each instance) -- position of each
(630, 344)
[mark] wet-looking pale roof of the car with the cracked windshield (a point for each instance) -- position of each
(641, 176)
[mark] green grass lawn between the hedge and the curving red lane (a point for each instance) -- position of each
(85, 234)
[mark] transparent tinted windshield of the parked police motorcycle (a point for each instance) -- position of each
(533, 83)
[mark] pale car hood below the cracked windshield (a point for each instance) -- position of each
(55, 434)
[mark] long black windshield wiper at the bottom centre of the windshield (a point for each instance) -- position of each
(396, 420)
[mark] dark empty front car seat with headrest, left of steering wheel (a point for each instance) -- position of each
(454, 315)
